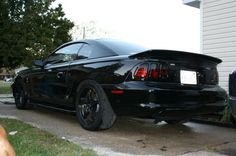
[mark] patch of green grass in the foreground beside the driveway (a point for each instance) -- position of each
(31, 141)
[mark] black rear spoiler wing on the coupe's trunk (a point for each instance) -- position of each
(176, 56)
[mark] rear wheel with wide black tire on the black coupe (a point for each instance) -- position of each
(93, 108)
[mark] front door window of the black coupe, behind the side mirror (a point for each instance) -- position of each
(65, 54)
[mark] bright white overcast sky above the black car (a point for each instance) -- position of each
(159, 24)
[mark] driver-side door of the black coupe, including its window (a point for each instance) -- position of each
(53, 79)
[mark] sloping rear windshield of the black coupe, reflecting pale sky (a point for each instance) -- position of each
(123, 48)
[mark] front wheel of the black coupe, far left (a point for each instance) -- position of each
(20, 96)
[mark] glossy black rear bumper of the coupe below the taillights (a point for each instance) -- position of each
(167, 102)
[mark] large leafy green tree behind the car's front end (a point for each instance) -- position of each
(30, 29)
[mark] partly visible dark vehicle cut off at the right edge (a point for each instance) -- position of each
(232, 95)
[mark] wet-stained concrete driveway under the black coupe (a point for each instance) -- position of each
(132, 136)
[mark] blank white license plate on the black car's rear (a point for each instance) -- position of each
(188, 77)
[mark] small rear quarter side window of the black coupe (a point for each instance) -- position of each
(91, 51)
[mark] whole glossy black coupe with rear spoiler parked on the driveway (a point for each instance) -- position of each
(99, 79)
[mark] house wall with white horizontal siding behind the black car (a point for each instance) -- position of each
(218, 33)
